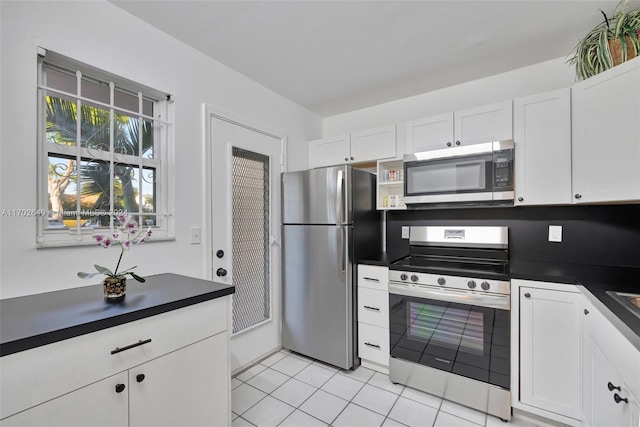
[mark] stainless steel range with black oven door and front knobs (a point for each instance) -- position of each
(449, 304)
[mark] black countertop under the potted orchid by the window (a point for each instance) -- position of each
(35, 320)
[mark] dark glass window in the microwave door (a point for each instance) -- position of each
(449, 176)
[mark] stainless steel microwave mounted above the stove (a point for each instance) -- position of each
(473, 175)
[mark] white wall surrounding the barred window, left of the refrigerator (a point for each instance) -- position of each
(100, 34)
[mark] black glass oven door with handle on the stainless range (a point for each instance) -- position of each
(458, 337)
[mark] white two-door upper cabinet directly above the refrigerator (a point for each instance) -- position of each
(357, 147)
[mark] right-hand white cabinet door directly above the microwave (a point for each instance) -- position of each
(492, 122)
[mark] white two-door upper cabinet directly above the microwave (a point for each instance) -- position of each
(492, 122)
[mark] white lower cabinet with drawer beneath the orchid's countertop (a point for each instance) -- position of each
(179, 376)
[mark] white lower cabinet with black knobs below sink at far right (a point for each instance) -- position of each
(611, 374)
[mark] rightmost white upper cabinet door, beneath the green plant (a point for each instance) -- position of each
(606, 135)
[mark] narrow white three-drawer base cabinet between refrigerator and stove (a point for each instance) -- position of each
(373, 317)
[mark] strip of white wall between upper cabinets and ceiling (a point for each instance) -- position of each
(538, 78)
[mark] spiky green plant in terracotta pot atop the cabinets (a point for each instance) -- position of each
(610, 43)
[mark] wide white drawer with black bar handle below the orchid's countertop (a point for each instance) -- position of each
(33, 376)
